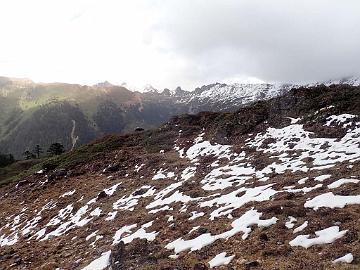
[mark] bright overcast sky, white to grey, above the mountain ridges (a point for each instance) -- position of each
(168, 43)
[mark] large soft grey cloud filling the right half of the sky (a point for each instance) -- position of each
(279, 40)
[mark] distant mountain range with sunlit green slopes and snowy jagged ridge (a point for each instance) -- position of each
(43, 113)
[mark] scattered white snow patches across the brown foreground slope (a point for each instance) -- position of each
(236, 172)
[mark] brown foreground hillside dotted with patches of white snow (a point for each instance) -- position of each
(275, 185)
